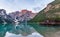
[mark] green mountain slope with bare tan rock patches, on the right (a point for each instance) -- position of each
(51, 12)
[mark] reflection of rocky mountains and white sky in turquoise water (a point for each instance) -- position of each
(10, 30)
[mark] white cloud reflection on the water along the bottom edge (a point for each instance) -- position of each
(35, 34)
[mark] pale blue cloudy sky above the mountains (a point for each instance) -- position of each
(16, 5)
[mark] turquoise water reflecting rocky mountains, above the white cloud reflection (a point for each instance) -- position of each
(19, 29)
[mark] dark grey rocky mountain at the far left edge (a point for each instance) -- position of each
(4, 18)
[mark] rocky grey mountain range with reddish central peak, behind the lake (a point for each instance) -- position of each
(17, 16)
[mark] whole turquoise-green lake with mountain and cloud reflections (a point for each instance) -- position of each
(30, 30)
